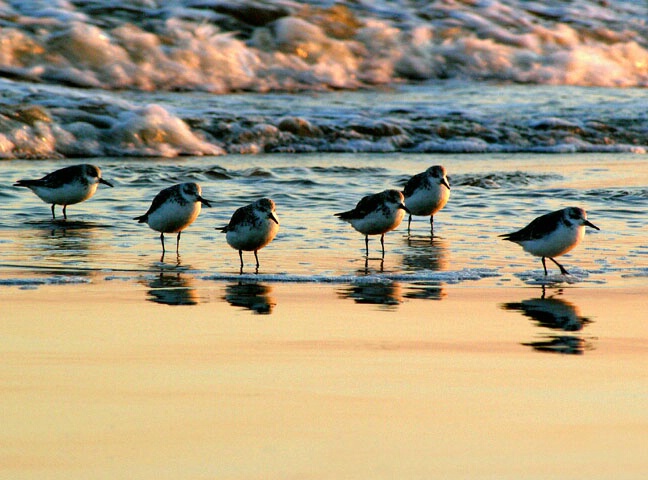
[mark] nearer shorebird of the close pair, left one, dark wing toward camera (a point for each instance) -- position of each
(376, 214)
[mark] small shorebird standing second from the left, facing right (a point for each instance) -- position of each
(173, 210)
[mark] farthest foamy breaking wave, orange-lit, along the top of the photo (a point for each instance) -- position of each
(282, 45)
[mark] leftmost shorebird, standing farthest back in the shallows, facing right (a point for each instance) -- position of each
(66, 186)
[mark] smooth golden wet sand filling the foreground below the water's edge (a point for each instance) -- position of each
(201, 379)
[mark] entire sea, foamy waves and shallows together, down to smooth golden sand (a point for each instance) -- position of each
(530, 106)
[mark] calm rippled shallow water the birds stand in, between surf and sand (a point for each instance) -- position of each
(490, 195)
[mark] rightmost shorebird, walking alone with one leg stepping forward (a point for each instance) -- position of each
(553, 234)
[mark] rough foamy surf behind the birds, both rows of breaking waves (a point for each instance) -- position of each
(98, 78)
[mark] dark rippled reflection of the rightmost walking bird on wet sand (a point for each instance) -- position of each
(554, 313)
